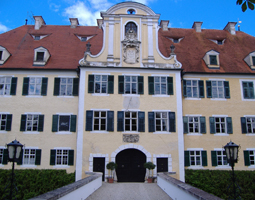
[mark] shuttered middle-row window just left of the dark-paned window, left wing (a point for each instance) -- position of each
(32, 122)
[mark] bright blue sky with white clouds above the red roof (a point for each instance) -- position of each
(181, 13)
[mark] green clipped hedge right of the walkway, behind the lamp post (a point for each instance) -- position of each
(217, 182)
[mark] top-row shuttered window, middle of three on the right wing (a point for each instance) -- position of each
(218, 89)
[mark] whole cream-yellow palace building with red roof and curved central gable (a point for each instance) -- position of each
(129, 90)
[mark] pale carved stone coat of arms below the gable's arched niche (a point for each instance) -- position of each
(131, 47)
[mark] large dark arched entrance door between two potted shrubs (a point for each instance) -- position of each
(130, 166)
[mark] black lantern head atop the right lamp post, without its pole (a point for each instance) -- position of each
(231, 150)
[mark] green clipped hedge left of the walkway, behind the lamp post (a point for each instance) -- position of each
(33, 182)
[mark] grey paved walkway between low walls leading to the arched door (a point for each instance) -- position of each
(129, 191)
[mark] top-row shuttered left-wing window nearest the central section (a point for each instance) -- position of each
(66, 86)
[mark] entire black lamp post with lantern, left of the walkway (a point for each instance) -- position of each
(14, 149)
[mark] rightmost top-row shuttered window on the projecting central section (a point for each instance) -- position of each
(160, 85)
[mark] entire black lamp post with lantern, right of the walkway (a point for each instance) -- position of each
(231, 150)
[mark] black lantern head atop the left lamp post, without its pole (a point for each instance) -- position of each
(14, 150)
